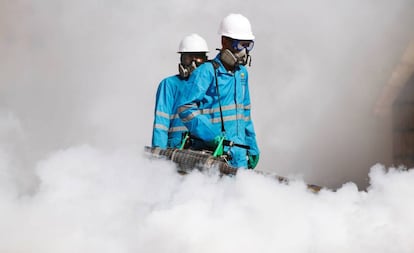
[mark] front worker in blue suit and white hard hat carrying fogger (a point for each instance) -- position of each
(215, 102)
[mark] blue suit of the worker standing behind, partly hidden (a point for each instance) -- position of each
(168, 128)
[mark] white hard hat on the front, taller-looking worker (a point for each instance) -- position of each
(236, 26)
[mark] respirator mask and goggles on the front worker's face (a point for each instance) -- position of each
(241, 56)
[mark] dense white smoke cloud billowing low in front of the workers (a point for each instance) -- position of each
(94, 200)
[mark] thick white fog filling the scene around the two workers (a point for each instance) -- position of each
(77, 89)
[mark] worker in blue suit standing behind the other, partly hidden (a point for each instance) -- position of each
(168, 128)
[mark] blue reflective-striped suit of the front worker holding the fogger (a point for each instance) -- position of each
(199, 108)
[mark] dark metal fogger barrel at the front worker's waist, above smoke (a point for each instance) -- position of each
(188, 160)
